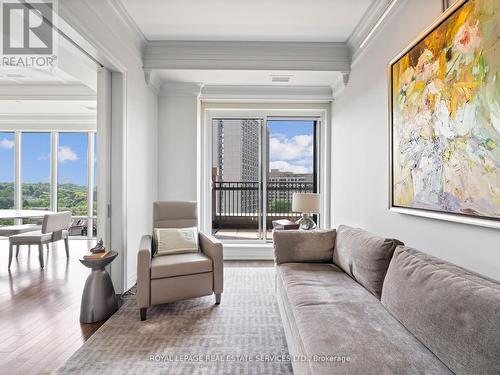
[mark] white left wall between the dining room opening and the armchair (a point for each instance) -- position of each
(107, 36)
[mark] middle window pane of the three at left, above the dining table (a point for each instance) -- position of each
(35, 171)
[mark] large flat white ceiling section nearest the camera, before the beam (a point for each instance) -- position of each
(247, 20)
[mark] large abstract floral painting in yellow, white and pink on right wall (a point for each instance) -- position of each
(444, 128)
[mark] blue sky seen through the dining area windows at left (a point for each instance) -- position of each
(35, 154)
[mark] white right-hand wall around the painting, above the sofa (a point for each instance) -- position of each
(360, 152)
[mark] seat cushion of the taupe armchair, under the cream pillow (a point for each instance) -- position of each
(180, 264)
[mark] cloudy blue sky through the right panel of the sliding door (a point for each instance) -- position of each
(291, 145)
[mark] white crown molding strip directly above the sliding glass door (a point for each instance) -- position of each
(249, 92)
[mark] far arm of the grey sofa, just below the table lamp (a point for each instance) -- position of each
(303, 246)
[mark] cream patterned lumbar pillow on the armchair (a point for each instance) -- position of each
(176, 241)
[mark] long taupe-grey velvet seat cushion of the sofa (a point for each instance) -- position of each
(330, 315)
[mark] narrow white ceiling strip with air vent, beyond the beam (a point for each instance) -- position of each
(247, 77)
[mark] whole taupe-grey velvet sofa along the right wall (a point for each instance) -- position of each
(355, 303)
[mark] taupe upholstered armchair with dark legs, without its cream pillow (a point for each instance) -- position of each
(168, 278)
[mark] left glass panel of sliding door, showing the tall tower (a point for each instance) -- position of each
(237, 178)
